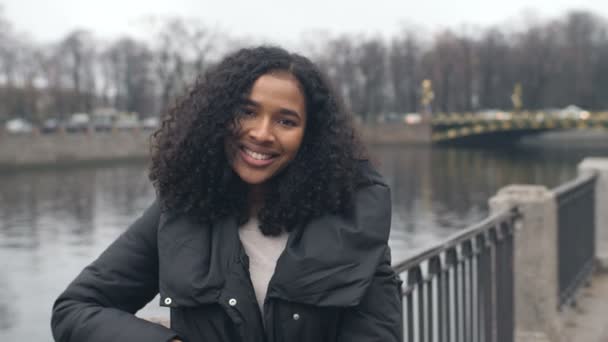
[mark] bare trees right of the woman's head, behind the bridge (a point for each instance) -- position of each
(558, 63)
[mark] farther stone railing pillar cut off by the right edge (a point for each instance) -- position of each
(600, 167)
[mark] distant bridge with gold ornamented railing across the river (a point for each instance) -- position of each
(505, 127)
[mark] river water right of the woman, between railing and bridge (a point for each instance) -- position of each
(438, 191)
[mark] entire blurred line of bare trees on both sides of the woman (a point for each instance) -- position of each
(557, 62)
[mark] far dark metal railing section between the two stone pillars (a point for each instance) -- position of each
(576, 235)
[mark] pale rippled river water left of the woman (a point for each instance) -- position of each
(53, 223)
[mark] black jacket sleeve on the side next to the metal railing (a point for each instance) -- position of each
(379, 315)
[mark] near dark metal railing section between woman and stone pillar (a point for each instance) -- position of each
(462, 288)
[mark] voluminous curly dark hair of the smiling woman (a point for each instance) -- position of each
(190, 170)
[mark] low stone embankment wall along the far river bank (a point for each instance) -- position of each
(41, 149)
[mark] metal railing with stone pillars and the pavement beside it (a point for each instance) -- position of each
(527, 273)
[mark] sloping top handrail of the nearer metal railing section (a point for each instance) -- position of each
(455, 239)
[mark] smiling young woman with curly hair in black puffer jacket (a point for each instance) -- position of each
(268, 227)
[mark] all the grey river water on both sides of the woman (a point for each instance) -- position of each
(54, 221)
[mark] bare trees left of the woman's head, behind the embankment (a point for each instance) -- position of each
(80, 72)
